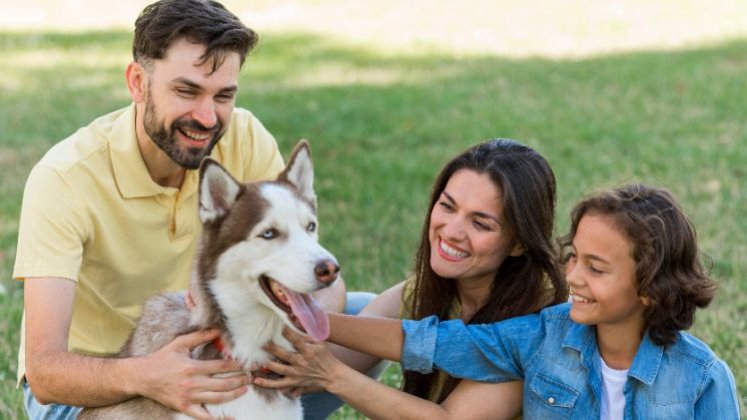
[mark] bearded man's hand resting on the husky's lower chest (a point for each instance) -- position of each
(171, 377)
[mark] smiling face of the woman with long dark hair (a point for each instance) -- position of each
(467, 233)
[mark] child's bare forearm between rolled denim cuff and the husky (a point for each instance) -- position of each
(380, 337)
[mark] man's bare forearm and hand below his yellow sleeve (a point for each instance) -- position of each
(169, 376)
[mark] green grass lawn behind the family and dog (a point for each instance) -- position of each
(382, 124)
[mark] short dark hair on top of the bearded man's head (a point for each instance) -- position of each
(203, 22)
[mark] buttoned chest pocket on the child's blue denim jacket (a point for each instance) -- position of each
(549, 398)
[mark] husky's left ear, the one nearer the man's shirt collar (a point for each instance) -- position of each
(218, 191)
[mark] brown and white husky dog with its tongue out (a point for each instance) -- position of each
(257, 260)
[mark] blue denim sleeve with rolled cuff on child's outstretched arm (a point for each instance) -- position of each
(494, 352)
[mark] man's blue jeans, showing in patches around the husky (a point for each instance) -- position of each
(316, 406)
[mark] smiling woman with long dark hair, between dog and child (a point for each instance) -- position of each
(485, 254)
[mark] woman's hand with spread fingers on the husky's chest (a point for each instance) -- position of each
(311, 366)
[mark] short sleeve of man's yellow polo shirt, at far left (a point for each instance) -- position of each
(52, 228)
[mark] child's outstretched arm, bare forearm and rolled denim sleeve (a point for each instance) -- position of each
(493, 352)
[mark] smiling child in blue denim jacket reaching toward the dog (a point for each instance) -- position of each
(617, 350)
